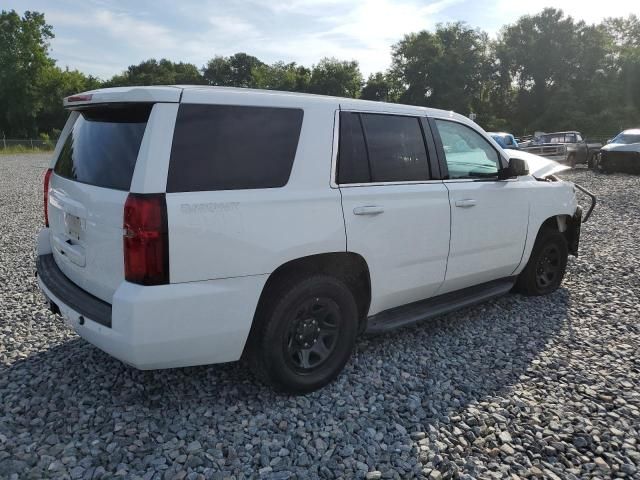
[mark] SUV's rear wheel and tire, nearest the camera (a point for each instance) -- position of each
(305, 334)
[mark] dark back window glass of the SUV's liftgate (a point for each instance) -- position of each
(103, 145)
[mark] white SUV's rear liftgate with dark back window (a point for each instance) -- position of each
(92, 175)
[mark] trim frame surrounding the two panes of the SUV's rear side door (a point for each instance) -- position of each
(431, 152)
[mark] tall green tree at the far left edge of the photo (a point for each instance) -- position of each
(24, 49)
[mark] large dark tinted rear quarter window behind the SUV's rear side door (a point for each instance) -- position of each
(222, 147)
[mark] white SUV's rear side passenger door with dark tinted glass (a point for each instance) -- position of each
(396, 214)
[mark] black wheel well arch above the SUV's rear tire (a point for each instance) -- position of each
(349, 267)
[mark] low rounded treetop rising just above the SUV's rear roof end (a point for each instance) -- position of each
(153, 72)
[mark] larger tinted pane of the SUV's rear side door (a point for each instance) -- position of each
(396, 148)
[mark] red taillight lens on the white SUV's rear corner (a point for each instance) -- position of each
(146, 240)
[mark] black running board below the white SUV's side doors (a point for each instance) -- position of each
(412, 313)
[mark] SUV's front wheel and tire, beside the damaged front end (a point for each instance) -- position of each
(546, 266)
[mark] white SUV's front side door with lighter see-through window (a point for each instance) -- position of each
(489, 217)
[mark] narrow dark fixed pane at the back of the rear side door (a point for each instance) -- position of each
(353, 161)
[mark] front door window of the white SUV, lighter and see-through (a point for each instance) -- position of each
(467, 153)
